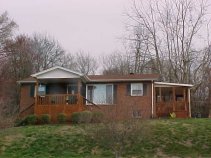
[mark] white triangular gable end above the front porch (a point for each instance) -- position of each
(56, 72)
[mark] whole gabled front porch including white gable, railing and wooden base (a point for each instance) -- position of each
(58, 91)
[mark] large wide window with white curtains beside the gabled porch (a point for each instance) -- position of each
(100, 93)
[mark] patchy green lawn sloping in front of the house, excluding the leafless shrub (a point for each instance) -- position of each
(168, 138)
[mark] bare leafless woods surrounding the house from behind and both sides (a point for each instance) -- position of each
(168, 37)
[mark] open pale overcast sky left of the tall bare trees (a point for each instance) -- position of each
(94, 26)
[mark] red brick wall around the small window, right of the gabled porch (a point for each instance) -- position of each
(127, 104)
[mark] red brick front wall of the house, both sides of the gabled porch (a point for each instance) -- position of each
(123, 109)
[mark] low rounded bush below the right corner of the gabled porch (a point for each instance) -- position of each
(81, 117)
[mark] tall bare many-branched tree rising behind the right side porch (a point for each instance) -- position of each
(171, 27)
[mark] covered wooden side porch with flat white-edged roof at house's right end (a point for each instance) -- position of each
(172, 98)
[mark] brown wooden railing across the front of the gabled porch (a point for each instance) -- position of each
(59, 99)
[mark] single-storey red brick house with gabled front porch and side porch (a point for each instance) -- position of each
(60, 90)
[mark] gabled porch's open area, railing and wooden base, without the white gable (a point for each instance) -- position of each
(53, 100)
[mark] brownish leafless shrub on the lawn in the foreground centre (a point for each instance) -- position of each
(119, 135)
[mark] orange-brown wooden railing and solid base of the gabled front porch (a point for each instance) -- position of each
(58, 103)
